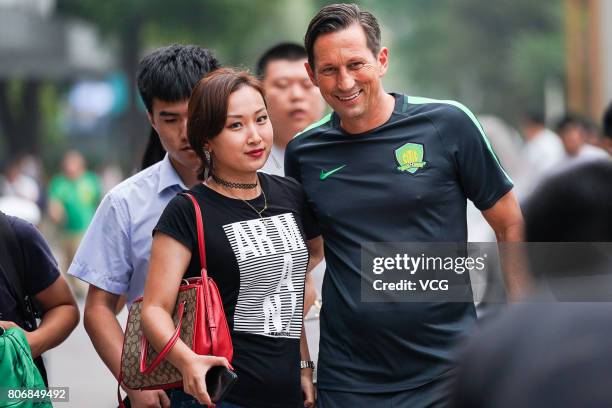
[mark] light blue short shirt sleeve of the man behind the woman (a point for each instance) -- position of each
(103, 258)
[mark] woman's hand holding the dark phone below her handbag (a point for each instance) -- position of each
(194, 376)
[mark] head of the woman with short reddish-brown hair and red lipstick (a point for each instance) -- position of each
(228, 126)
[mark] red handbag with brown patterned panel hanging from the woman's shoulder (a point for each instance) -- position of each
(200, 323)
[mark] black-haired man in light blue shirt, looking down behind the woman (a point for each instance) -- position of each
(114, 254)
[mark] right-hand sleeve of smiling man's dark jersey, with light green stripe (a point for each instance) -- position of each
(480, 173)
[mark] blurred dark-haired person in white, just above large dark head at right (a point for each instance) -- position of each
(574, 133)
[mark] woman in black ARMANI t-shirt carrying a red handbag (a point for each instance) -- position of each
(259, 244)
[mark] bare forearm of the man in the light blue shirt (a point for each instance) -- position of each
(106, 335)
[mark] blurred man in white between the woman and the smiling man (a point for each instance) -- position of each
(293, 104)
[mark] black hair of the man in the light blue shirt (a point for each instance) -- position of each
(170, 73)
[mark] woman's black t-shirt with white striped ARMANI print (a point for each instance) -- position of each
(259, 265)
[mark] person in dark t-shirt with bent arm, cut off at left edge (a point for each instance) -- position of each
(30, 287)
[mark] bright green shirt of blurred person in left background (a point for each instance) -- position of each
(79, 197)
